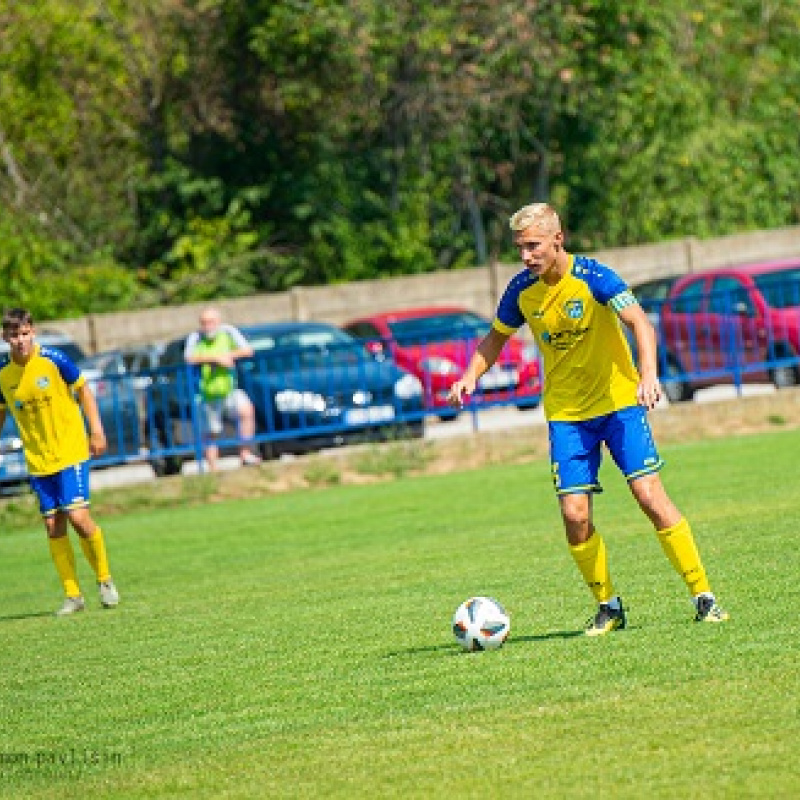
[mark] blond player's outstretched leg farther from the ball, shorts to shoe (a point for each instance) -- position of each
(633, 449)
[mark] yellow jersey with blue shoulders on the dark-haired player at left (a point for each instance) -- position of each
(41, 397)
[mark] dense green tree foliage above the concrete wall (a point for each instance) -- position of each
(175, 150)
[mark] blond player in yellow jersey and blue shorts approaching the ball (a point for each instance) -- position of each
(593, 395)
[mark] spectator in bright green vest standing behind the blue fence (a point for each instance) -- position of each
(215, 348)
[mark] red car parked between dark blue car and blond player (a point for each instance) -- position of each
(436, 343)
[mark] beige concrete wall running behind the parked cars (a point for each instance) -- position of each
(477, 288)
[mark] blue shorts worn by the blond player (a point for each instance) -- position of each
(575, 449)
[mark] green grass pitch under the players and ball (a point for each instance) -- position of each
(300, 646)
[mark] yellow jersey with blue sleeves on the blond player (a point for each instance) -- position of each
(588, 368)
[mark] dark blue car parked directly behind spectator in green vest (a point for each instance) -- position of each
(312, 386)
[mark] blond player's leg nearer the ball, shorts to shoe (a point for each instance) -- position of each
(575, 458)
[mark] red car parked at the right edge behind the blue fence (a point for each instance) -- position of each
(732, 325)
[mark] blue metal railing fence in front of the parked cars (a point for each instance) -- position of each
(308, 400)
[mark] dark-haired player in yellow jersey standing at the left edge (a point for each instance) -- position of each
(39, 386)
